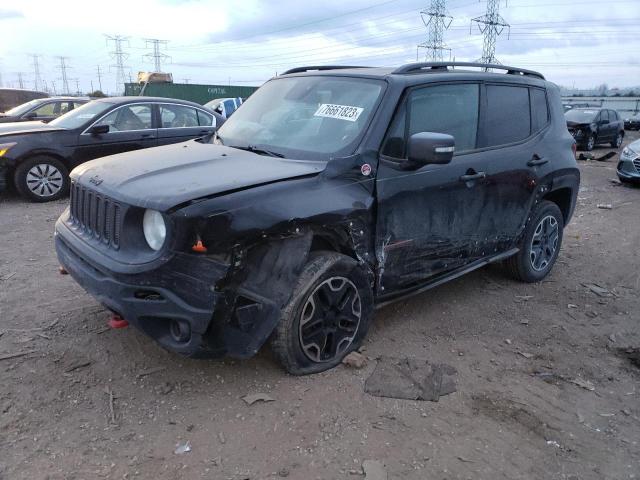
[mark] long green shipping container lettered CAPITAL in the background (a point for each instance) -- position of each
(189, 91)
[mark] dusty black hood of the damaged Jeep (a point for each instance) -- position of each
(163, 177)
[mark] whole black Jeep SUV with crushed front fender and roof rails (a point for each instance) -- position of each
(330, 192)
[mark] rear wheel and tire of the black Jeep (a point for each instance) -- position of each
(533, 263)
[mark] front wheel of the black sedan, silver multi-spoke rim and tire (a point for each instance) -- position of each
(42, 179)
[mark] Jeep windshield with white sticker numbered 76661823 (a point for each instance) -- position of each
(314, 118)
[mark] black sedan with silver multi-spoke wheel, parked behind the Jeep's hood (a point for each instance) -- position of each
(36, 157)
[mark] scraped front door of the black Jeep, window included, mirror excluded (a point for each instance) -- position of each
(430, 218)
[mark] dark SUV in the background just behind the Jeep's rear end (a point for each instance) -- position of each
(593, 126)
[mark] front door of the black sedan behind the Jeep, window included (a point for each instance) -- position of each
(130, 128)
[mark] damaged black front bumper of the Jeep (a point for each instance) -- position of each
(152, 300)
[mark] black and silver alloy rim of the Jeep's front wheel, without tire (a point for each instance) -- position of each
(330, 319)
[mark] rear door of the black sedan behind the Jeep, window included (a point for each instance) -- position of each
(179, 123)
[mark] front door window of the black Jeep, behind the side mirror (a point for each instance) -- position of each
(450, 109)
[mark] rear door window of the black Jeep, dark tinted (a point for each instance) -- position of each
(508, 118)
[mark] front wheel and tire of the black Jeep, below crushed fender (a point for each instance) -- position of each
(332, 332)
